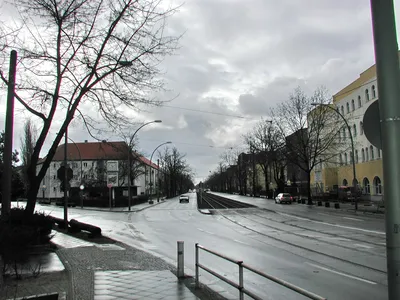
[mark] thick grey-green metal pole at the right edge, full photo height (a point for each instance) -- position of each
(388, 76)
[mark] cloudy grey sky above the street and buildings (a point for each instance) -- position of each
(237, 60)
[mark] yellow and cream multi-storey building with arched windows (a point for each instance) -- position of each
(352, 102)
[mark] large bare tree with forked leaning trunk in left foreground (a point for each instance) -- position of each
(105, 53)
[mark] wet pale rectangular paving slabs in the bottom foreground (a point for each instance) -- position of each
(132, 285)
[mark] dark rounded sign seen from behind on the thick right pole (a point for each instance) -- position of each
(372, 125)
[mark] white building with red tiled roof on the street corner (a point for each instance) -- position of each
(97, 165)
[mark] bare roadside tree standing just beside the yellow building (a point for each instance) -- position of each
(311, 133)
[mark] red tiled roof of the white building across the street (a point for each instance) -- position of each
(97, 151)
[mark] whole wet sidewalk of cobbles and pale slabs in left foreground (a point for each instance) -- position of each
(102, 268)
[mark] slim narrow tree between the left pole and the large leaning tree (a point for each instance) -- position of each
(27, 148)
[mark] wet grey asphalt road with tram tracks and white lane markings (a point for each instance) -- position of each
(335, 254)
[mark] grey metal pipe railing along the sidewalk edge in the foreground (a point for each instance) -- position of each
(240, 285)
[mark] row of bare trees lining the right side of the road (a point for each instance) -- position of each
(301, 134)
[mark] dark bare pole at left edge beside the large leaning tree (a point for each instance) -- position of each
(8, 137)
